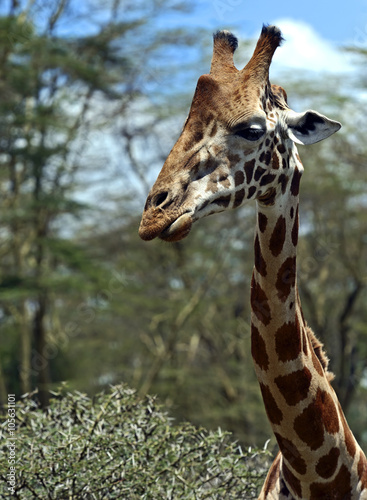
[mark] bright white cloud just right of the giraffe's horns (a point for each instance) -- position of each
(305, 49)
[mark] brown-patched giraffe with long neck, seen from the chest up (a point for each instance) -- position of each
(239, 144)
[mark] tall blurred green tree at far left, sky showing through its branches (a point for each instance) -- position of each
(54, 88)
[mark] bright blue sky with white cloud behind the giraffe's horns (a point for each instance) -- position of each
(314, 31)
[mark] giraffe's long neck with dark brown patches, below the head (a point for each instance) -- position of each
(318, 450)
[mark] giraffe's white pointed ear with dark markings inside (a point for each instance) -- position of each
(310, 127)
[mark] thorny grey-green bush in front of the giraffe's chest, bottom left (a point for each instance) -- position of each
(116, 445)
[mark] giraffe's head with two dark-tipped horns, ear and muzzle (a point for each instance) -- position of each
(237, 144)
